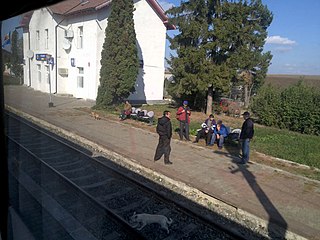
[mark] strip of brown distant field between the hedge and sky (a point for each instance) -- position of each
(284, 81)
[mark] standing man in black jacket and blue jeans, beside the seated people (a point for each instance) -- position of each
(247, 132)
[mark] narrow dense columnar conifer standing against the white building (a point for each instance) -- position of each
(119, 56)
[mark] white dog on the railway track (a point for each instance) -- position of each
(144, 219)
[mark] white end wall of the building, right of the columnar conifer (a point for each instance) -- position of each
(151, 37)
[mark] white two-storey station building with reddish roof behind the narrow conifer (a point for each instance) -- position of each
(63, 44)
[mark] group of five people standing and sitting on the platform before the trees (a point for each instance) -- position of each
(210, 131)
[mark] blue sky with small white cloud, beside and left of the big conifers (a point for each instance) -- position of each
(293, 36)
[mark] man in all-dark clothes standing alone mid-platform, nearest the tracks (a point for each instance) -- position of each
(164, 129)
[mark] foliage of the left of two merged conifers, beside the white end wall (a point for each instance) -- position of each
(192, 68)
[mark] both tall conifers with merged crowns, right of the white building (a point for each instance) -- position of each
(219, 41)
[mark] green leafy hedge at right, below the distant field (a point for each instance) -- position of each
(295, 108)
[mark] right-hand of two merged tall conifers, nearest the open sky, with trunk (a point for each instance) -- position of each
(242, 28)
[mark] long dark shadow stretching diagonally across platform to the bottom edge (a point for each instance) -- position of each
(277, 225)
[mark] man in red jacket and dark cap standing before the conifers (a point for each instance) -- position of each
(183, 115)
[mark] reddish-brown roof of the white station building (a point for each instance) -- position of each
(74, 7)
